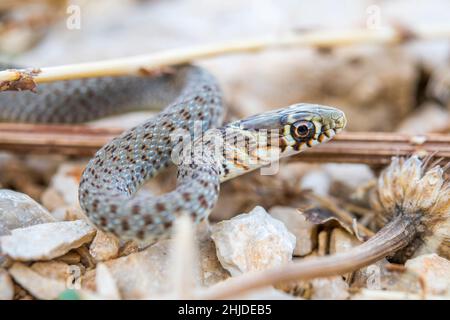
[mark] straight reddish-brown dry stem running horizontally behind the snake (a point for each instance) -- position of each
(375, 148)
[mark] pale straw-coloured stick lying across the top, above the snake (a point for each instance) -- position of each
(146, 63)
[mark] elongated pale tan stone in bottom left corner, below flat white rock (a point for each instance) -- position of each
(39, 286)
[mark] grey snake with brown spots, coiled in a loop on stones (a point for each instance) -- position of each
(187, 131)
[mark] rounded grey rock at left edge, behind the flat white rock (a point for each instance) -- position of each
(17, 210)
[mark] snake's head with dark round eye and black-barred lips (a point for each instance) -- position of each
(296, 127)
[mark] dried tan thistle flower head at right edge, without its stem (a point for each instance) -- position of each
(418, 193)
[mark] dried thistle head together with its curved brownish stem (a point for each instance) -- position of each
(411, 210)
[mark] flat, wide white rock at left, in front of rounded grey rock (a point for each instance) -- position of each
(46, 241)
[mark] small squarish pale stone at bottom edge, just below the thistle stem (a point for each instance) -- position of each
(334, 288)
